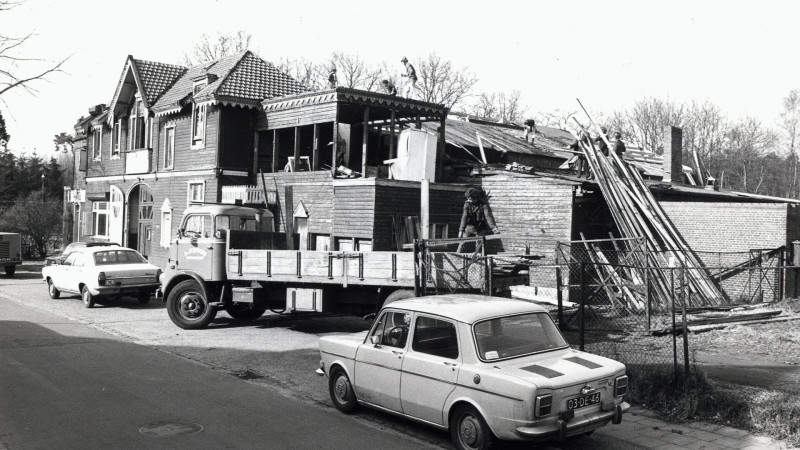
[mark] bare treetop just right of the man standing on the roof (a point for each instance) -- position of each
(441, 82)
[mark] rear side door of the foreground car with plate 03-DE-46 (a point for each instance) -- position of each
(430, 369)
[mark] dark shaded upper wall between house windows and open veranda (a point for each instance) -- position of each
(236, 145)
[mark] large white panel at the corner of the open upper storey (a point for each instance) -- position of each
(416, 156)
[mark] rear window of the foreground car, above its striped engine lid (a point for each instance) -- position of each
(508, 337)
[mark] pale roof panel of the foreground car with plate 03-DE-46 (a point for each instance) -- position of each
(467, 308)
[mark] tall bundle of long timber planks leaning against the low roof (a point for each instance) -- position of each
(638, 214)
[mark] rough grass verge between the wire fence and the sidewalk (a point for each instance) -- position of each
(693, 397)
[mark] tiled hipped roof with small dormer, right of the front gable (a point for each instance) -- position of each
(241, 79)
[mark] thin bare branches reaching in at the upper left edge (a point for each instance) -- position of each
(17, 70)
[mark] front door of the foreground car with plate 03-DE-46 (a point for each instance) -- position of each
(379, 359)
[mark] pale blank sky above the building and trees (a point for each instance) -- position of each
(739, 55)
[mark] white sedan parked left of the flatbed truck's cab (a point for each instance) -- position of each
(102, 271)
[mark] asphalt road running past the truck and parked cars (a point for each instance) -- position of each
(72, 377)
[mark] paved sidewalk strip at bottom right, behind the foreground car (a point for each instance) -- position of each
(641, 427)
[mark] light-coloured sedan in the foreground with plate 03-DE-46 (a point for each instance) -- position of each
(486, 368)
